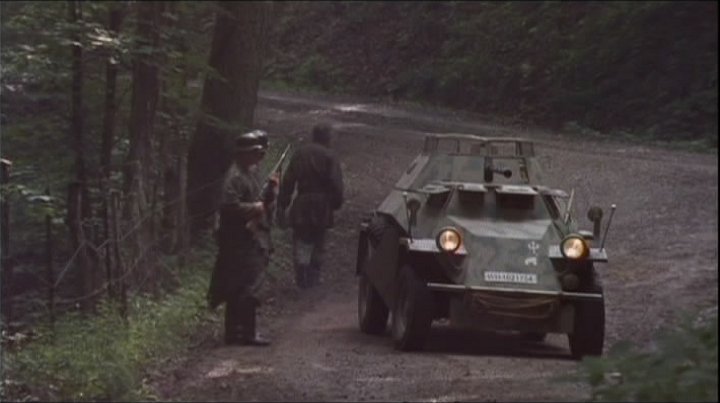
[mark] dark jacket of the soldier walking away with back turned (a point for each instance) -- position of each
(314, 173)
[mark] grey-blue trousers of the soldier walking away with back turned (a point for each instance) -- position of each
(308, 254)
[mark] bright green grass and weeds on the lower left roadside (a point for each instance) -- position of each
(101, 357)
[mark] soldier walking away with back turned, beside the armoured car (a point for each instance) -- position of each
(315, 173)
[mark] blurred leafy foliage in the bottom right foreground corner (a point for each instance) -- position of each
(682, 365)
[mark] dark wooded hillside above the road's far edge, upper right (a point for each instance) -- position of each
(643, 67)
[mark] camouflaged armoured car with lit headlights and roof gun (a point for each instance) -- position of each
(470, 233)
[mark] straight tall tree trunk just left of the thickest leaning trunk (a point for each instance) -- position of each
(139, 168)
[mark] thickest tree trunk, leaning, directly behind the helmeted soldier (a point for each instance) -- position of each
(228, 102)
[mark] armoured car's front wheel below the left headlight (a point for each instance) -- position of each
(413, 312)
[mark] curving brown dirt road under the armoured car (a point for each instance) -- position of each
(663, 261)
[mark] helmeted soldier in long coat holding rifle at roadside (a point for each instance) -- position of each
(243, 241)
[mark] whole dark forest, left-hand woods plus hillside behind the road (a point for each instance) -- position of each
(116, 118)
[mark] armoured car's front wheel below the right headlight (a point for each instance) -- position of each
(589, 329)
